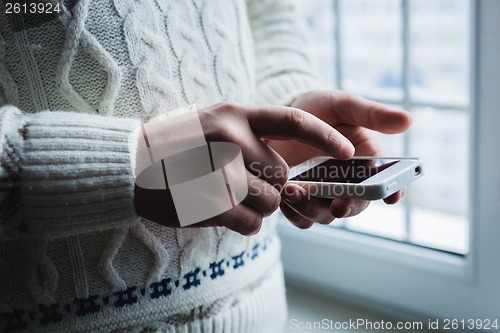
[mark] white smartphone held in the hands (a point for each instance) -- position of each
(365, 178)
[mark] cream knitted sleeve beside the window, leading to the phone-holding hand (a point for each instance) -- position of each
(284, 67)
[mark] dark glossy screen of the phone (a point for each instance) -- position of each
(345, 171)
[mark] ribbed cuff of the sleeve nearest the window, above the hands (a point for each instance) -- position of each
(283, 89)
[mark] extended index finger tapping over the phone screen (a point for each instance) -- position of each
(284, 123)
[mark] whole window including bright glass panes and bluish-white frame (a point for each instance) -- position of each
(436, 254)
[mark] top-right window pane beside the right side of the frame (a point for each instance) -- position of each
(439, 50)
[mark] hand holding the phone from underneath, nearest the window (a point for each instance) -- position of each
(352, 116)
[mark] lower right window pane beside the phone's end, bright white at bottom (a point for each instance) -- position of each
(439, 200)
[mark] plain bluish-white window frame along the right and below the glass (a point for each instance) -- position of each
(411, 280)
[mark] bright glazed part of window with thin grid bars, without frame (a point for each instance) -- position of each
(415, 55)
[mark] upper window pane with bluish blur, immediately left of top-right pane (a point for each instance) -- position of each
(370, 33)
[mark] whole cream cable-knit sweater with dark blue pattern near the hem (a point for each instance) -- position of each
(74, 256)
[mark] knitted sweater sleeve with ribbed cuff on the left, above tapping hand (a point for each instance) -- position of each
(64, 173)
